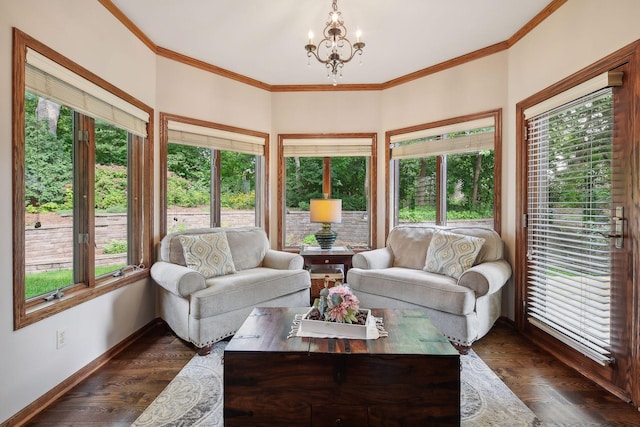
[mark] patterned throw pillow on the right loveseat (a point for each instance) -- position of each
(451, 254)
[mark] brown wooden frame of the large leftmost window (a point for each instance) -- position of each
(140, 215)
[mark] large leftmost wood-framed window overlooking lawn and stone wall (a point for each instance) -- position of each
(82, 215)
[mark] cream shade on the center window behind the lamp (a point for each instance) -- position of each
(327, 147)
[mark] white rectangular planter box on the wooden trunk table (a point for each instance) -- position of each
(325, 329)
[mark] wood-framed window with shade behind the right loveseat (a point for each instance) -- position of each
(447, 173)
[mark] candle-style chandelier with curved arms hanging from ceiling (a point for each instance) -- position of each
(335, 49)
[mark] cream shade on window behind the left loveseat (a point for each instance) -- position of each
(218, 139)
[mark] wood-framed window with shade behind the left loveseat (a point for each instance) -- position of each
(214, 175)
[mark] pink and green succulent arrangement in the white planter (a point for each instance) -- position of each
(337, 304)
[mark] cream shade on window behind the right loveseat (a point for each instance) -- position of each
(439, 140)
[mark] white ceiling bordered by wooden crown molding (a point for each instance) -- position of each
(264, 40)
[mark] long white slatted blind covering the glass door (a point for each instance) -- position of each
(569, 205)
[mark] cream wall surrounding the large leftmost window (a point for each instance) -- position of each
(86, 33)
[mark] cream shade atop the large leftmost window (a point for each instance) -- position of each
(49, 79)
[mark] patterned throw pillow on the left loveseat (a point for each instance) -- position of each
(208, 254)
